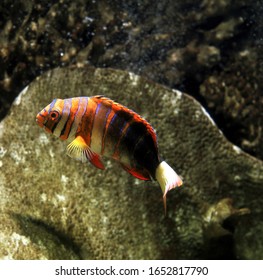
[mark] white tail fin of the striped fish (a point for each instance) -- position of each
(167, 178)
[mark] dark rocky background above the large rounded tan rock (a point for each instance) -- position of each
(210, 49)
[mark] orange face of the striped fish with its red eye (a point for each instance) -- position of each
(49, 116)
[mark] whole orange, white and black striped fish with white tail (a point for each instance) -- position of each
(97, 126)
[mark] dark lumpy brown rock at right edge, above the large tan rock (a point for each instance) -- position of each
(237, 96)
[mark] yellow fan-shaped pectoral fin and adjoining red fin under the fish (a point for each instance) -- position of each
(78, 149)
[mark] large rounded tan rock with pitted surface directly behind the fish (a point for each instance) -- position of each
(94, 214)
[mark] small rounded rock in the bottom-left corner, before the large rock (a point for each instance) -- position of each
(22, 237)
